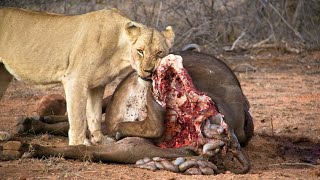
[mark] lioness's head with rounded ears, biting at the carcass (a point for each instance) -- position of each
(148, 46)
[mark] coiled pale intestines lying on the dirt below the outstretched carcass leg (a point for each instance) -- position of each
(191, 166)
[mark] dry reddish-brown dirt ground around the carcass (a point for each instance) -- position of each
(284, 93)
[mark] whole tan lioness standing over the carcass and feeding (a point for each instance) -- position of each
(83, 52)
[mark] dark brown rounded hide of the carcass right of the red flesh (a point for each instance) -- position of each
(213, 76)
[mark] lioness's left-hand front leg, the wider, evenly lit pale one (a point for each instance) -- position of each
(76, 97)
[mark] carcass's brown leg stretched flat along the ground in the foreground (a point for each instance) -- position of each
(127, 150)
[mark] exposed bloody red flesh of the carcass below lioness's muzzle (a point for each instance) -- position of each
(186, 108)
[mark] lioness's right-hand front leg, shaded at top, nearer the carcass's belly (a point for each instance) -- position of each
(94, 113)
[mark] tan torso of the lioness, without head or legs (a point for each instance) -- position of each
(44, 48)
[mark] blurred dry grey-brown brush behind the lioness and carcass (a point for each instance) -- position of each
(216, 25)
